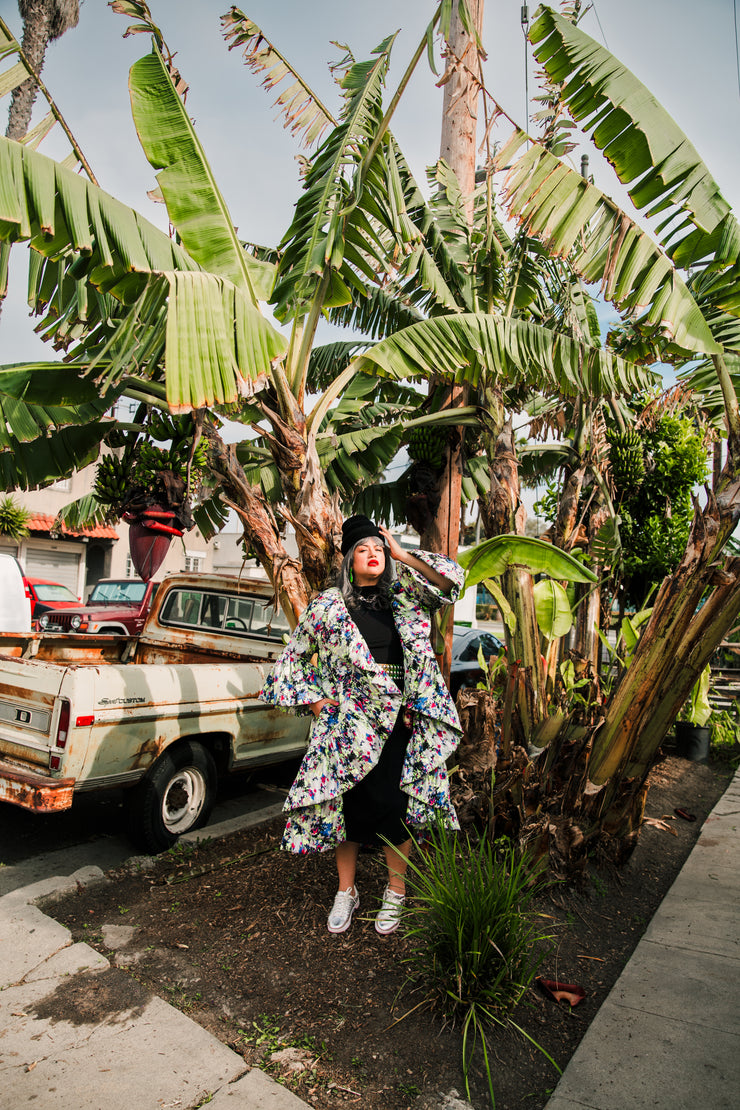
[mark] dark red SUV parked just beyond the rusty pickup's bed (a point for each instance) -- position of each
(115, 607)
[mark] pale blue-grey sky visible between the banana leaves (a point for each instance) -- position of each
(684, 52)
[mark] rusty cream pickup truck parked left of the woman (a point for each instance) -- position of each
(163, 714)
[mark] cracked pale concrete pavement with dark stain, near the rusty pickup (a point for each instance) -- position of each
(102, 1056)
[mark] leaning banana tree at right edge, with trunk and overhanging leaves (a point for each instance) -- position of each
(594, 774)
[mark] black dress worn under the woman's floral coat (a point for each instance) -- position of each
(376, 809)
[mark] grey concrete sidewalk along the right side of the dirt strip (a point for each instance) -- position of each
(668, 1035)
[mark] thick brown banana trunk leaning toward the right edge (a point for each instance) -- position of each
(589, 786)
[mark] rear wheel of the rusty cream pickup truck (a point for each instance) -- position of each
(176, 798)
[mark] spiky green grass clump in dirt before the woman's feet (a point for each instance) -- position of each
(474, 944)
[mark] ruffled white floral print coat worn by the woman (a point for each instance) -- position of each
(328, 658)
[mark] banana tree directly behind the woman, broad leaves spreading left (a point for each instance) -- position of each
(116, 294)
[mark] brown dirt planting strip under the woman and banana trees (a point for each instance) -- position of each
(234, 934)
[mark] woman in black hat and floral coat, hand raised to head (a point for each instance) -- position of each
(361, 661)
